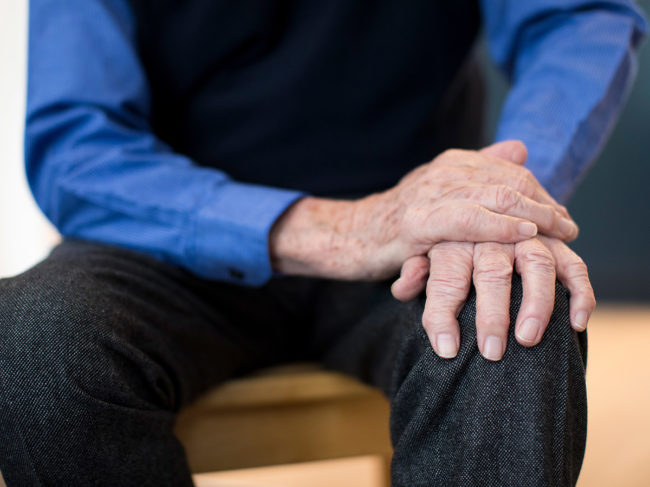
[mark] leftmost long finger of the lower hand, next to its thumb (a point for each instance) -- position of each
(449, 281)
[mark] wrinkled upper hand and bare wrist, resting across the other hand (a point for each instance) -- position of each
(459, 196)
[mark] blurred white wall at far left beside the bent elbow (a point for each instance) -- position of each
(25, 235)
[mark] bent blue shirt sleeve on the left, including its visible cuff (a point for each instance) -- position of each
(99, 173)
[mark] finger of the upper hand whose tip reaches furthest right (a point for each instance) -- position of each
(505, 200)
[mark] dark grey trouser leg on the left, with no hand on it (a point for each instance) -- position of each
(100, 347)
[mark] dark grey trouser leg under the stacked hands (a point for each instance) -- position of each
(465, 421)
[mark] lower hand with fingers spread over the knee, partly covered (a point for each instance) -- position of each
(448, 272)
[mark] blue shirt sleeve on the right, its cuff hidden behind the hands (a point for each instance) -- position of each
(571, 64)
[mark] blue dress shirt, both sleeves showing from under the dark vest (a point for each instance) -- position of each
(98, 171)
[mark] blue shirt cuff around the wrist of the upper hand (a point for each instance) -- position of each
(228, 237)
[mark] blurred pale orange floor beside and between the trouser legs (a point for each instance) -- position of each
(618, 446)
